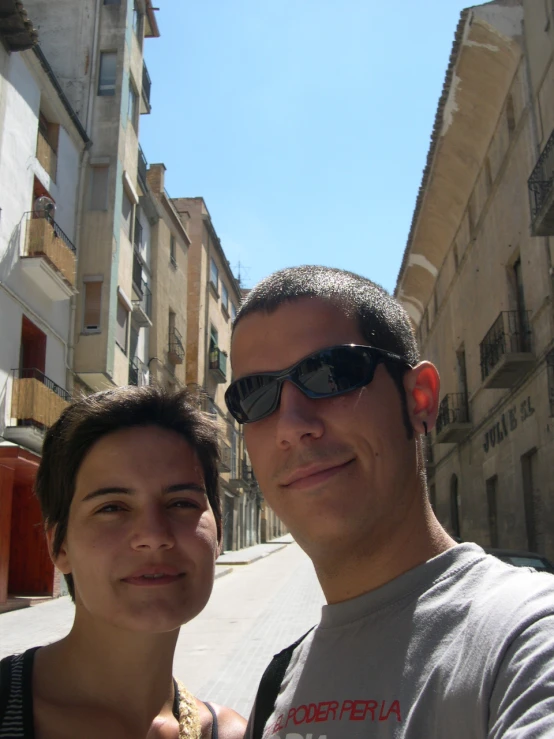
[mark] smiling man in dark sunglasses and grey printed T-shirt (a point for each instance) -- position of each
(421, 637)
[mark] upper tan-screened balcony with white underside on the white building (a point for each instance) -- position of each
(49, 258)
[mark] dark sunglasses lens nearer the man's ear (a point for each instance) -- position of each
(334, 371)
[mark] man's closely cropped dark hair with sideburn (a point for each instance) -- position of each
(381, 319)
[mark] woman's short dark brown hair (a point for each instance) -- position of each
(86, 421)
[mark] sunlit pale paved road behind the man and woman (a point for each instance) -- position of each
(254, 612)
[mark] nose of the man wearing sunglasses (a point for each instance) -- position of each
(298, 417)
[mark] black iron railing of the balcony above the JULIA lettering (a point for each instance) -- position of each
(509, 334)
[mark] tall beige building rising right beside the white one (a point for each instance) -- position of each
(96, 50)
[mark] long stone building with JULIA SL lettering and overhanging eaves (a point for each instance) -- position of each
(477, 278)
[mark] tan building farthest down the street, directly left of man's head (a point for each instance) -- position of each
(214, 295)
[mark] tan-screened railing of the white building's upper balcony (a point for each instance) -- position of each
(45, 238)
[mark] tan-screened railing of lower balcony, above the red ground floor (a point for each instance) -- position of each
(36, 399)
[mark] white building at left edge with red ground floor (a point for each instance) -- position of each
(43, 147)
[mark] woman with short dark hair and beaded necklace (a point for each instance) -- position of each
(128, 487)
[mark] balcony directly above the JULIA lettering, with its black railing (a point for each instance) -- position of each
(506, 350)
